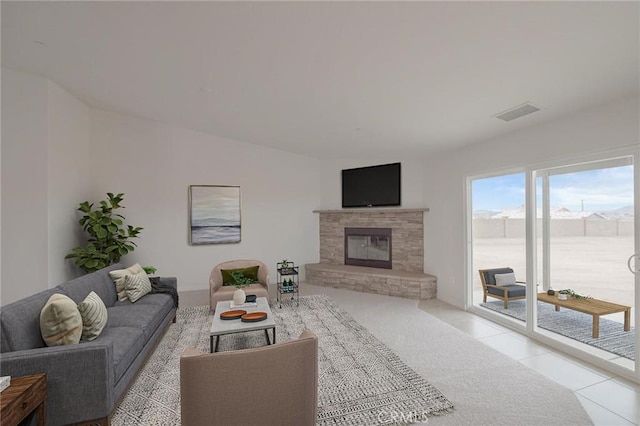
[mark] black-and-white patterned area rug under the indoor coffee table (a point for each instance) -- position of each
(358, 376)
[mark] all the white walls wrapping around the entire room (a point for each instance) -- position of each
(45, 175)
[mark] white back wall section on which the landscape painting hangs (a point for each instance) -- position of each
(153, 164)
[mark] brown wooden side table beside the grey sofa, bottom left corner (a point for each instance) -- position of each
(24, 395)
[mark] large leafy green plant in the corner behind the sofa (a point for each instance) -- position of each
(109, 237)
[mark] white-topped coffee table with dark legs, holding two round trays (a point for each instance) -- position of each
(221, 327)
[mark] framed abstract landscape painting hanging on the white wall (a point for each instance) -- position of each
(215, 214)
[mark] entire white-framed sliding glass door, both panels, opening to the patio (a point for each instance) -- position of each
(571, 227)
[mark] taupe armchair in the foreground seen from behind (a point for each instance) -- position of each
(269, 385)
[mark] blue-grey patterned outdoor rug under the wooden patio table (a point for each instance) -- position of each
(575, 325)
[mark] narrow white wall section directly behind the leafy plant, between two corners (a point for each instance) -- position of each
(69, 179)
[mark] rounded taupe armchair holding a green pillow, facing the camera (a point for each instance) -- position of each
(218, 292)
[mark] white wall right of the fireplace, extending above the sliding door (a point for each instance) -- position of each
(601, 129)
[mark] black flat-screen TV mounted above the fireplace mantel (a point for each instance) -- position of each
(371, 186)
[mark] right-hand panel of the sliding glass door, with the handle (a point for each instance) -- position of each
(587, 233)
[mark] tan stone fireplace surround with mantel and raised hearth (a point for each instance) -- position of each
(405, 279)
